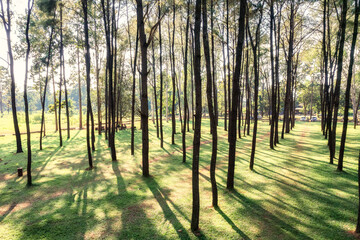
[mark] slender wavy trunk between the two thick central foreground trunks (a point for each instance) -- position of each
(209, 93)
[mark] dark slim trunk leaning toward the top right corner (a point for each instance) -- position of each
(348, 86)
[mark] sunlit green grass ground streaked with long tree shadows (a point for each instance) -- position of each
(294, 193)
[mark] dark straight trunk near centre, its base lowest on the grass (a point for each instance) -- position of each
(197, 131)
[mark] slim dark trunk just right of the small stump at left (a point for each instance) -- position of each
(29, 179)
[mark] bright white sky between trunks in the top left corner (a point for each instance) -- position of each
(18, 7)
